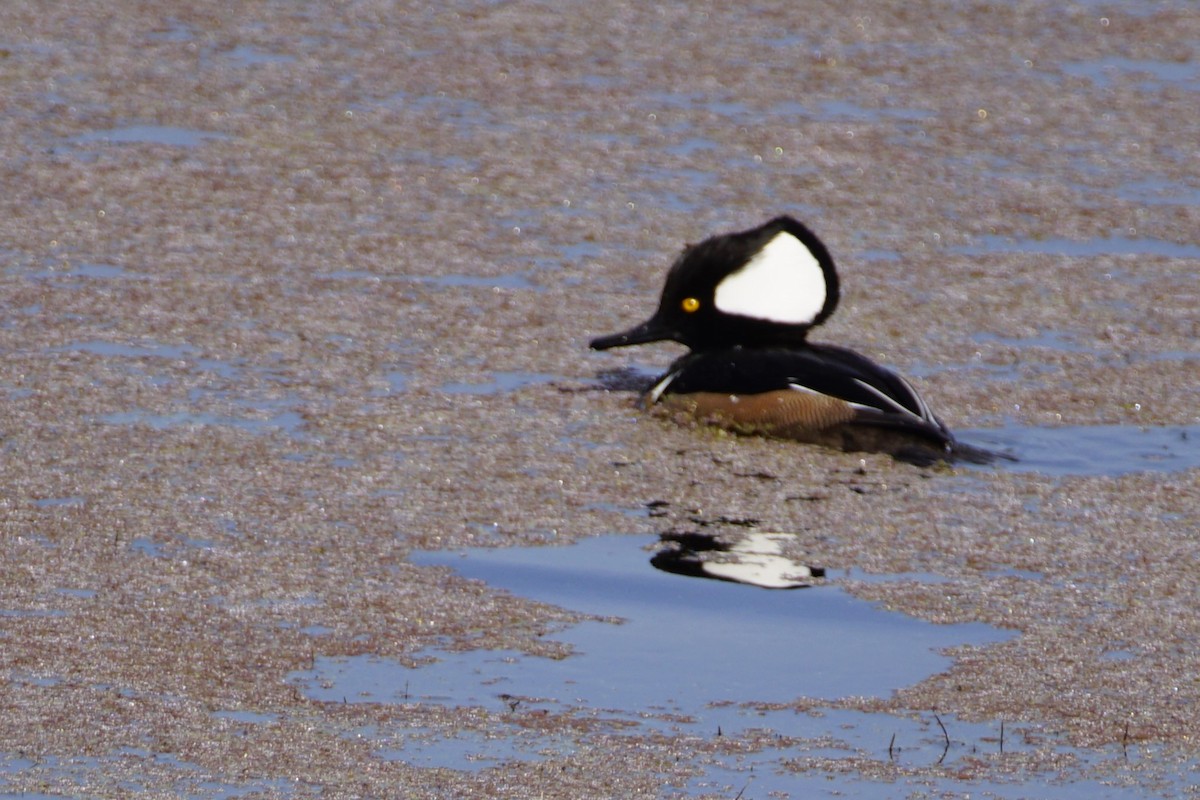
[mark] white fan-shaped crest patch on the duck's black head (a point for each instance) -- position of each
(783, 284)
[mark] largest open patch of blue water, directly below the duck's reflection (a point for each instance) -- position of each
(683, 645)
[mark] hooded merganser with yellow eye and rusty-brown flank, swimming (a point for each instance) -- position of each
(745, 303)
